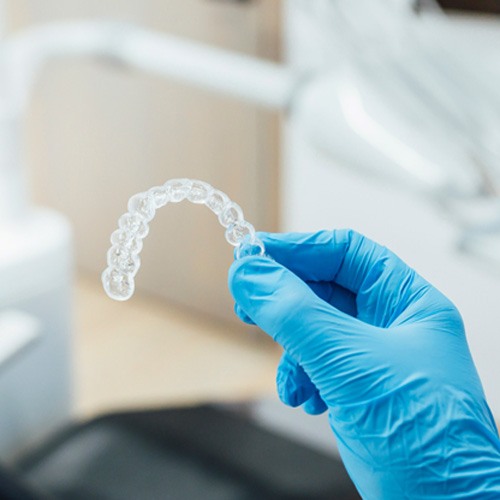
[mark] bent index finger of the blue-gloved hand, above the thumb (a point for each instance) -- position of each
(381, 282)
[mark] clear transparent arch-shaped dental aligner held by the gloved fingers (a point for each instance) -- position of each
(133, 227)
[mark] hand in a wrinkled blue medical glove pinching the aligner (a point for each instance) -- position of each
(368, 339)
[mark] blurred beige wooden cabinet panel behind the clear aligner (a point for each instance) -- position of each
(96, 134)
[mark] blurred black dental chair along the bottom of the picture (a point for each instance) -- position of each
(203, 452)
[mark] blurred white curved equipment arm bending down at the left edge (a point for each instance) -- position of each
(24, 55)
